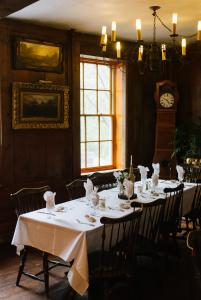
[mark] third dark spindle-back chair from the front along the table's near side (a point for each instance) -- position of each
(172, 215)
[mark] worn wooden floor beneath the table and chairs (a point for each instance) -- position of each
(173, 283)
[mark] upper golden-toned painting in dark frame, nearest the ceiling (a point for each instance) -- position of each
(38, 56)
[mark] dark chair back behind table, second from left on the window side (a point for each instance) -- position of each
(75, 189)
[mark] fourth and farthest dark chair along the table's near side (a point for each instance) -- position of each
(195, 213)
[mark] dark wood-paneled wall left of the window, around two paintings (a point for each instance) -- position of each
(34, 157)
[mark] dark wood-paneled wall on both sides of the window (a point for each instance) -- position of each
(36, 157)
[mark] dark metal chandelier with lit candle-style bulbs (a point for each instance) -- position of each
(152, 54)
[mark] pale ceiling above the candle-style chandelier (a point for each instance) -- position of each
(89, 15)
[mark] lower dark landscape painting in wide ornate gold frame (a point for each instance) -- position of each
(39, 105)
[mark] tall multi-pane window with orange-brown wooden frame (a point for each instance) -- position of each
(97, 117)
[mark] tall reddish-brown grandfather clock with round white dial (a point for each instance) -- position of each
(166, 98)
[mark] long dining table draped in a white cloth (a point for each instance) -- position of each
(73, 229)
